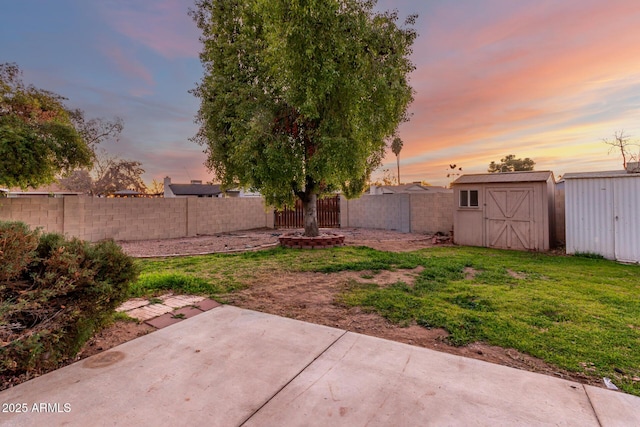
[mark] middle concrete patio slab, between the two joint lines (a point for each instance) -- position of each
(368, 381)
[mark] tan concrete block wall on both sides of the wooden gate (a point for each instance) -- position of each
(95, 219)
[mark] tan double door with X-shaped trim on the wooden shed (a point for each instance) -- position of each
(509, 221)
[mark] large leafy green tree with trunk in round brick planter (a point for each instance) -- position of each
(300, 97)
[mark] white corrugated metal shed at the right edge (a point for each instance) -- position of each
(602, 211)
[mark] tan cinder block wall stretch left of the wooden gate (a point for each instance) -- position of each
(95, 219)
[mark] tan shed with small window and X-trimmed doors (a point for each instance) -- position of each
(510, 210)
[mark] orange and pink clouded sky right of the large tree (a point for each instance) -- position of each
(541, 80)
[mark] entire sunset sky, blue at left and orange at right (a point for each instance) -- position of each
(543, 79)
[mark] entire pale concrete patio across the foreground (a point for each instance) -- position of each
(230, 367)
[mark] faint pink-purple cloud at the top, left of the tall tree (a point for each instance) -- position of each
(160, 25)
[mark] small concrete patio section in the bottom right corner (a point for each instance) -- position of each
(614, 408)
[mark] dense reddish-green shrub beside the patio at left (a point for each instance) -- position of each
(55, 295)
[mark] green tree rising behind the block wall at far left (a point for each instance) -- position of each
(38, 138)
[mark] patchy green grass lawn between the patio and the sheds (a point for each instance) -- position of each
(578, 313)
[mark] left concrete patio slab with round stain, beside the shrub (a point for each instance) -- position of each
(216, 368)
